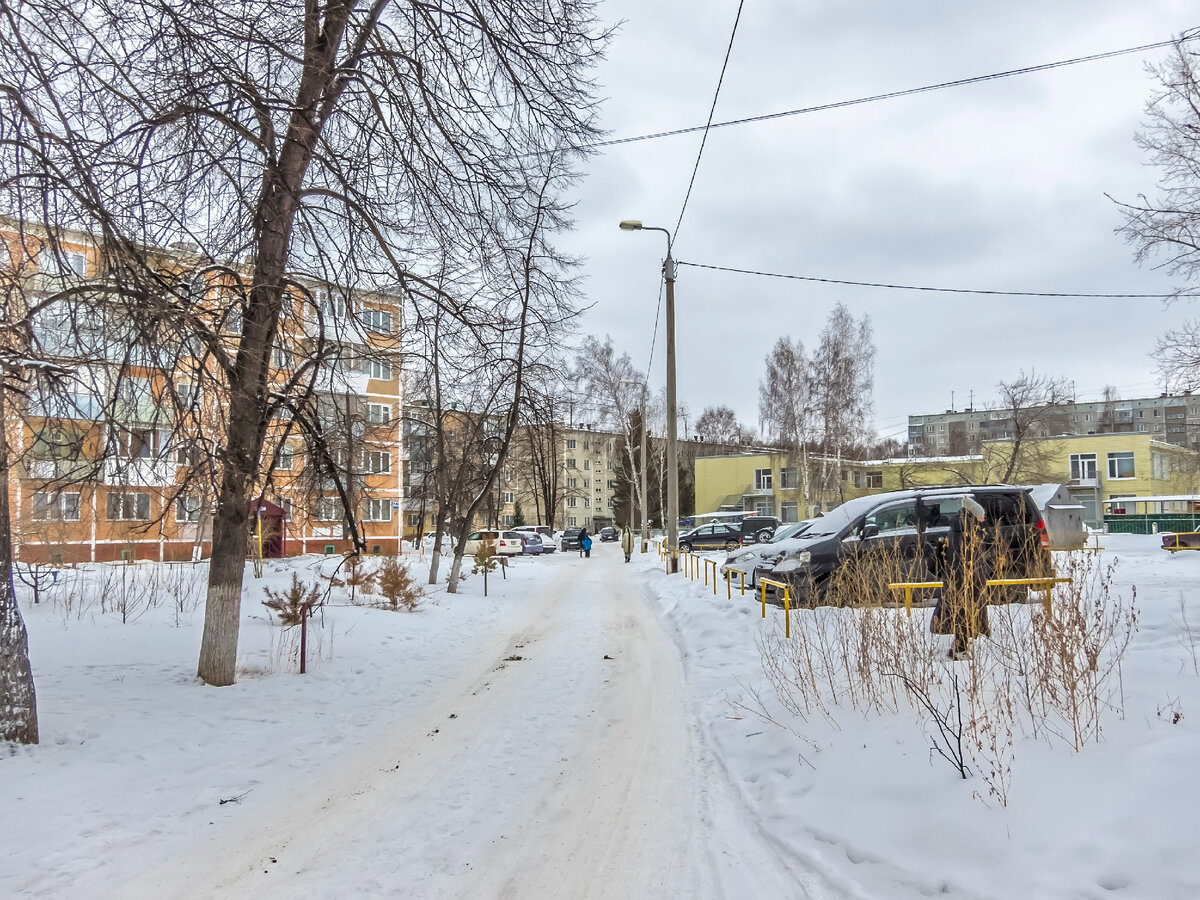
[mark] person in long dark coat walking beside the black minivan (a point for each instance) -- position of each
(963, 609)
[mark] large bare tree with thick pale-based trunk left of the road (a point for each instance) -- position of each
(338, 142)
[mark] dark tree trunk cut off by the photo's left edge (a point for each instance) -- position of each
(19, 700)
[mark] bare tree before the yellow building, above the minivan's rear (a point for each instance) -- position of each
(1037, 407)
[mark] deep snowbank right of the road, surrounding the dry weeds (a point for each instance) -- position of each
(861, 795)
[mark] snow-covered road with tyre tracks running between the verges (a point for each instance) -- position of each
(560, 763)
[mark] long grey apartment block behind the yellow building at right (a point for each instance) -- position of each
(1169, 418)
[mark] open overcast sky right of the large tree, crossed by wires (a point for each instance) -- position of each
(999, 185)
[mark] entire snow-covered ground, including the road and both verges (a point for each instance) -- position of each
(421, 759)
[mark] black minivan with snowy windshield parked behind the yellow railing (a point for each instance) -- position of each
(908, 529)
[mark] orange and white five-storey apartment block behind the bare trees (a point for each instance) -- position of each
(118, 460)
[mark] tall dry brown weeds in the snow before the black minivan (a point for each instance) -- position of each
(1053, 674)
